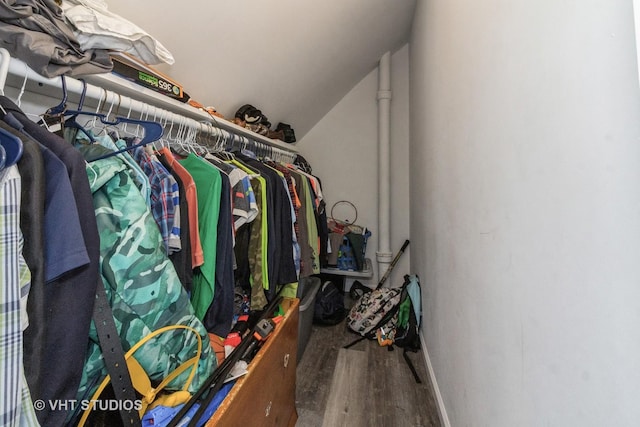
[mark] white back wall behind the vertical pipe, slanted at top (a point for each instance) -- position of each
(342, 149)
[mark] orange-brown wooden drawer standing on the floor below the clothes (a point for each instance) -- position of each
(265, 396)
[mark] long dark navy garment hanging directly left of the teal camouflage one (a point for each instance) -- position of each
(68, 298)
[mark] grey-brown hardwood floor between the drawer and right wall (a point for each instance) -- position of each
(365, 385)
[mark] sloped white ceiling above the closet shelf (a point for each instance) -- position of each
(293, 59)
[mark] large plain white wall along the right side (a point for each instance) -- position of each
(525, 209)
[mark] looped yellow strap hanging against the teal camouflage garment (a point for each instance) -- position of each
(139, 377)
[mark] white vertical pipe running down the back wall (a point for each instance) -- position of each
(383, 254)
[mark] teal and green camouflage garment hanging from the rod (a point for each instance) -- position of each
(141, 284)
